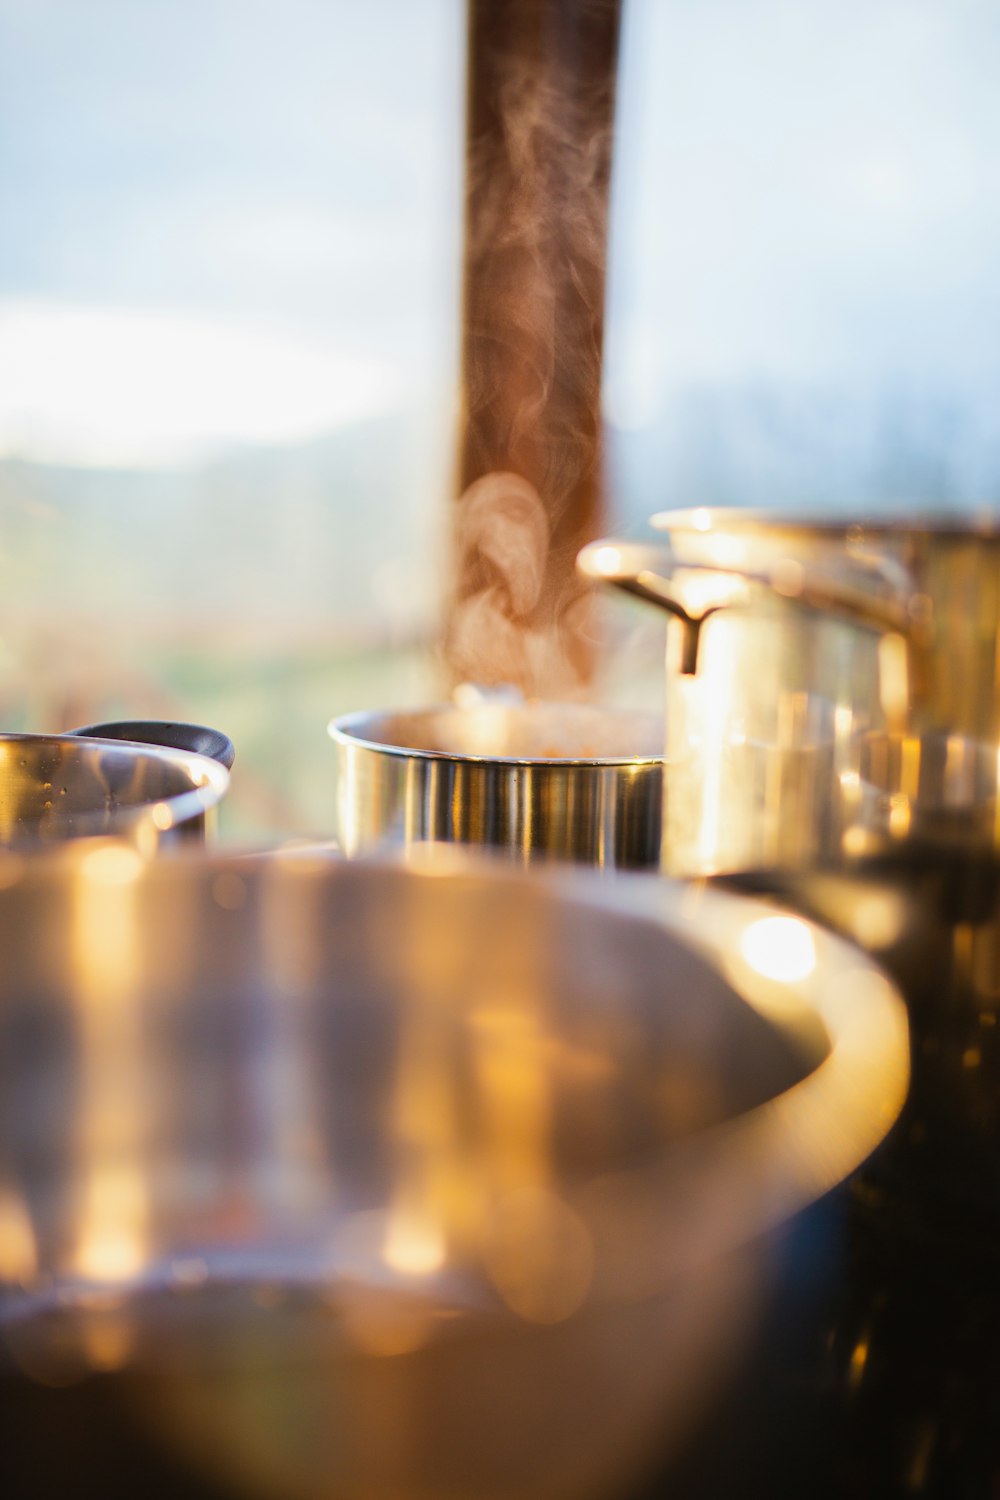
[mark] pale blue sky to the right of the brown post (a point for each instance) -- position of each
(807, 194)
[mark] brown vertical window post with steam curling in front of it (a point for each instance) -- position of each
(537, 176)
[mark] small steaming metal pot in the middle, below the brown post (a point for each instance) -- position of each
(536, 781)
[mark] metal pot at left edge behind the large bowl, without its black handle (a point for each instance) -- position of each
(62, 787)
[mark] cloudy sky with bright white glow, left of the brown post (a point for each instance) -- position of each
(223, 221)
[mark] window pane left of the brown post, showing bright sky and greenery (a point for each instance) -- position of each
(229, 341)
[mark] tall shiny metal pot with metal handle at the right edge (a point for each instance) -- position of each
(828, 682)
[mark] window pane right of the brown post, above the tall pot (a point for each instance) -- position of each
(804, 305)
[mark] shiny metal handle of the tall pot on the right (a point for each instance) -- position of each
(873, 593)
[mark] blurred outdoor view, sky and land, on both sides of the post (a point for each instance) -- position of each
(230, 260)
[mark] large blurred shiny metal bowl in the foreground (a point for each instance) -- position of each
(337, 1171)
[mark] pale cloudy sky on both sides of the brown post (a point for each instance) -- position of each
(241, 221)
